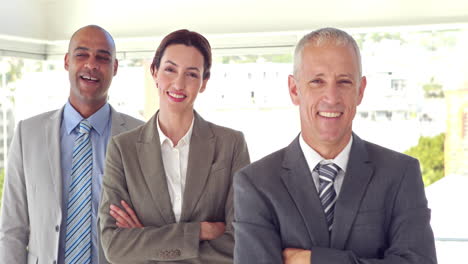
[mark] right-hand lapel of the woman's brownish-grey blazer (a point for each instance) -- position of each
(201, 155)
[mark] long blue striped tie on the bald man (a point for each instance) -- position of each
(78, 236)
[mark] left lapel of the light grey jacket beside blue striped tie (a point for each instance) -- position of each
(52, 132)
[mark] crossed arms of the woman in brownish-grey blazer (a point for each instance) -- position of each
(126, 239)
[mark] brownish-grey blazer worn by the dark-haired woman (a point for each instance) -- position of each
(135, 173)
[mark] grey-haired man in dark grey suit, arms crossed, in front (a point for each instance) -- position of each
(331, 197)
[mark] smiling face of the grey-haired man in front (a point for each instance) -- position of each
(327, 88)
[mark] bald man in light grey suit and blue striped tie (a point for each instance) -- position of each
(36, 225)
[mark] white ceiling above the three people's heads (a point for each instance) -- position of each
(35, 26)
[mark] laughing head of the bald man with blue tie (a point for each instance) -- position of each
(91, 65)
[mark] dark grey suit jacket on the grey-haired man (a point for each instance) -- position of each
(381, 213)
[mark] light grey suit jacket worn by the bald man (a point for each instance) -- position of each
(32, 197)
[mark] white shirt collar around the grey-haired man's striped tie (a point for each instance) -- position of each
(313, 159)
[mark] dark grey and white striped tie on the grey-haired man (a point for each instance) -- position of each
(327, 193)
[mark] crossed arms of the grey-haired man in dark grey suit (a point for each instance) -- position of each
(261, 237)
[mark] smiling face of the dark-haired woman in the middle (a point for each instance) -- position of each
(179, 79)
